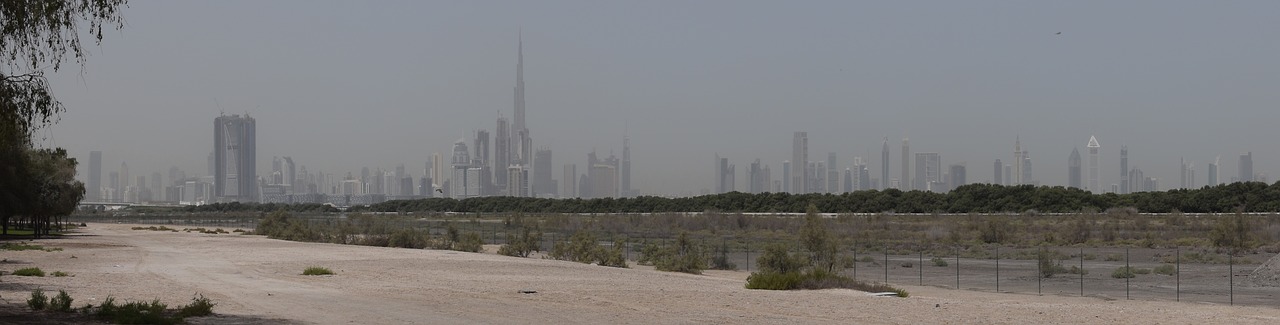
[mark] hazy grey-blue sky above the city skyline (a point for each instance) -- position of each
(345, 85)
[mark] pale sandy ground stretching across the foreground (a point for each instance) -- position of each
(257, 281)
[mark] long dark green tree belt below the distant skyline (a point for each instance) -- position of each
(973, 199)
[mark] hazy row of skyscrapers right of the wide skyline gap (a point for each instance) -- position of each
(804, 176)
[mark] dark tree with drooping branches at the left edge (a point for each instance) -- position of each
(35, 36)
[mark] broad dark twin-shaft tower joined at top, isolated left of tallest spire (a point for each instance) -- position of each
(235, 159)
